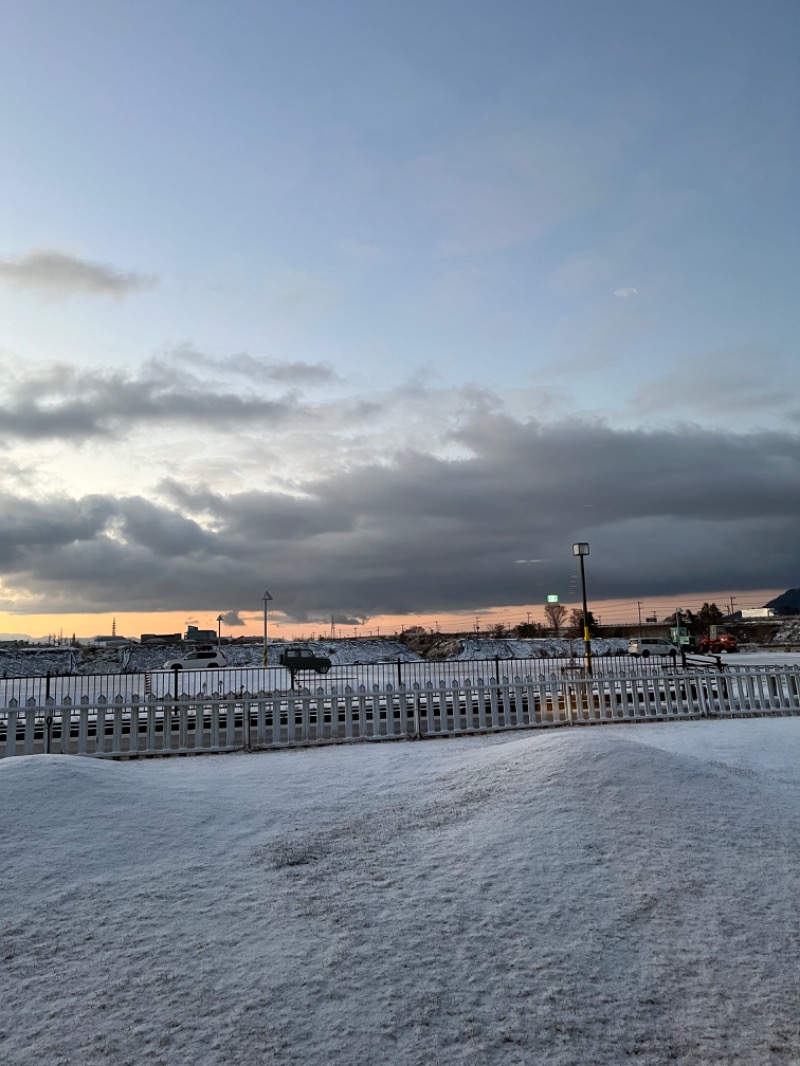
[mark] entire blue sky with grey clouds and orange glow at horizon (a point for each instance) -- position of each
(363, 304)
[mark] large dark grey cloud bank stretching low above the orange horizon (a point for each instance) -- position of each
(665, 512)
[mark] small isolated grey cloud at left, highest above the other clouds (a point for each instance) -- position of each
(61, 276)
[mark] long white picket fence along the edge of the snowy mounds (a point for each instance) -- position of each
(130, 726)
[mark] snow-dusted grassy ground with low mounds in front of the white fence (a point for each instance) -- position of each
(585, 897)
